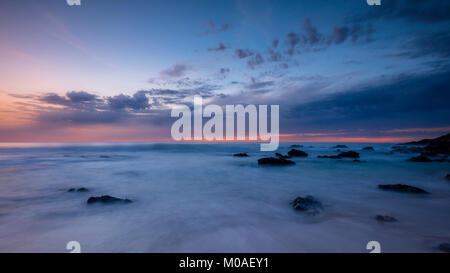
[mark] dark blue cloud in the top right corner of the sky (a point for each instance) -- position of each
(410, 10)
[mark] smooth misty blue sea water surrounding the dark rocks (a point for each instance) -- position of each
(199, 198)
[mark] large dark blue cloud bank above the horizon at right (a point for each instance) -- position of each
(407, 101)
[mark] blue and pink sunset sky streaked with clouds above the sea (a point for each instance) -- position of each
(110, 71)
